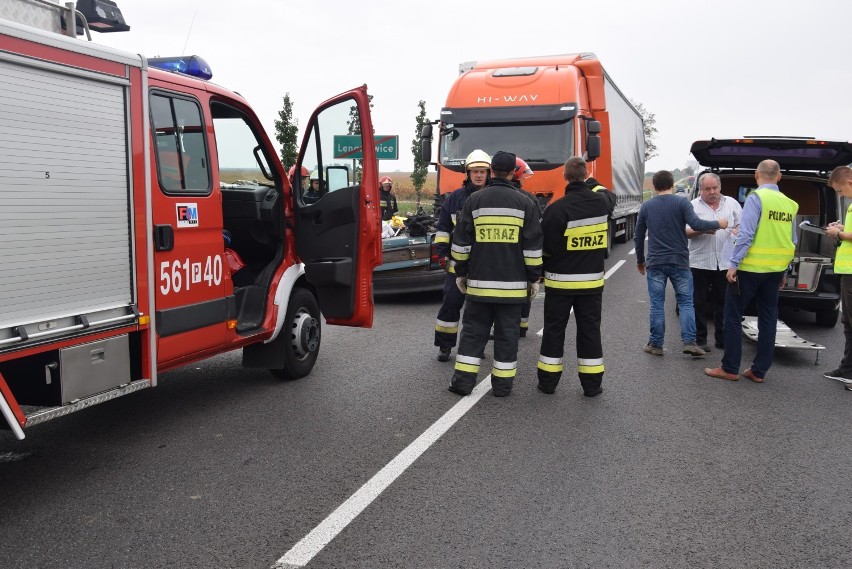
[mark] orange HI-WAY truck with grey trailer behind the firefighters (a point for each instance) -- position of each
(545, 110)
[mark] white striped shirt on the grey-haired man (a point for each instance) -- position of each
(708, 251)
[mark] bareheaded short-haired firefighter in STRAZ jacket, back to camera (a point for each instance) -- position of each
(575, 242)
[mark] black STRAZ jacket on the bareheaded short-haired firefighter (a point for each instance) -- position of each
(575, 241)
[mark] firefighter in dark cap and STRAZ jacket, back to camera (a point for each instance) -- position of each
(497, 252)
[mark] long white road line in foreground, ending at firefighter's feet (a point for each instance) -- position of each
(305, 550)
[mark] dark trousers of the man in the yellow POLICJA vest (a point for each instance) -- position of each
(763, 288)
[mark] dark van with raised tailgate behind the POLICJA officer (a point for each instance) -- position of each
(805, 166)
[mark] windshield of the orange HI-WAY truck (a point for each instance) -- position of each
(537, 143)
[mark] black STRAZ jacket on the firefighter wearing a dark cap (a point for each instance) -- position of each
(497, 244)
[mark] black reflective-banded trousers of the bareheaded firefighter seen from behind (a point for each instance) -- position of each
(587, 317)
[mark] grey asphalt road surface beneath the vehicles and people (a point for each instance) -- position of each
(225, 467)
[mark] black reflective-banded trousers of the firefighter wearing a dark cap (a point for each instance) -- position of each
(478, 319)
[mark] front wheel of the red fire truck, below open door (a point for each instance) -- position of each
(303, 325)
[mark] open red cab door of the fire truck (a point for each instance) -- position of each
(337, 222)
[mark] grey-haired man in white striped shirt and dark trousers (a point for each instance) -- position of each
(708, 257)
